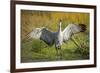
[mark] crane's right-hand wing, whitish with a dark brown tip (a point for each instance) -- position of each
(72, 29)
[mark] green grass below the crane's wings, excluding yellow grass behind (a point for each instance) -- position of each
(37, 51)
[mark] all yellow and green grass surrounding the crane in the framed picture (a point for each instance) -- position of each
(37, 51)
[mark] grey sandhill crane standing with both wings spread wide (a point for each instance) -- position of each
(57, 38)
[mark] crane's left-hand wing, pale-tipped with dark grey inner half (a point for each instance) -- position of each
(43, 34)
